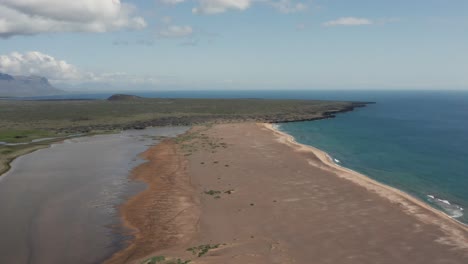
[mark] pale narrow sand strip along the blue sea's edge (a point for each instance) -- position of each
(391, 193)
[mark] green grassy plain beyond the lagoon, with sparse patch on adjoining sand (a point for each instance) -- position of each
(24, 121)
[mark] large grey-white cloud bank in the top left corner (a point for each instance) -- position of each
(27, 17)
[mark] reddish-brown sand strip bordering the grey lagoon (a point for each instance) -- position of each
(156, 215)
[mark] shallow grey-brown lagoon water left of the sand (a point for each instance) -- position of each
(59, 205)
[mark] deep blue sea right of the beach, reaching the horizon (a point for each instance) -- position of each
(414, 141)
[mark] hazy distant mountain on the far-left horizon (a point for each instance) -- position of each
(11, 86)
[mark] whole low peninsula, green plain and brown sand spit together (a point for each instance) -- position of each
(233, 189)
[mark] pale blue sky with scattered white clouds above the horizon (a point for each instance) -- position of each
(98, 45)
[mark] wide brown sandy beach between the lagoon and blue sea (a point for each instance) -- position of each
(246, 193)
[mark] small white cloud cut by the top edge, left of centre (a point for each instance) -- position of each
(220, 6)
